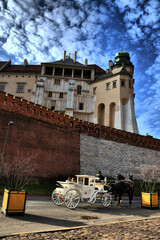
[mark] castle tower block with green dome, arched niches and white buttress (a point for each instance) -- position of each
(113, 93)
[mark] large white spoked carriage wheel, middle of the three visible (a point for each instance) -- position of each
(72, 198)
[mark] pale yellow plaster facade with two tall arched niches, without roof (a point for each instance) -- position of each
(110, 97)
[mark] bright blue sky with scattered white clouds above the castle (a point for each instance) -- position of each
(40, 30)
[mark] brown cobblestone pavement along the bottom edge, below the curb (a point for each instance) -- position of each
(141, 229)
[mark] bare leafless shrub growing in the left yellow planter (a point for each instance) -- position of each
(18, 172)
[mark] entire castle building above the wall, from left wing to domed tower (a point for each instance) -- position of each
(83, 91)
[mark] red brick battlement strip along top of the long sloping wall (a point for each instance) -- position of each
(28, 109)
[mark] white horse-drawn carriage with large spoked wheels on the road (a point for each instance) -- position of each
(86, 188)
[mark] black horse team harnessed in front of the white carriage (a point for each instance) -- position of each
(122, 186)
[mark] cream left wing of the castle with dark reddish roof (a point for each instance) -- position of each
(19, 80)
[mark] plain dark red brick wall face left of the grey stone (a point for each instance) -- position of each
(57, 148)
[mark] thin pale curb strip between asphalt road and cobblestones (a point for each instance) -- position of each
(79, 227)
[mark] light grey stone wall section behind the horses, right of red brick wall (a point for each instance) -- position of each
(112, 157)
